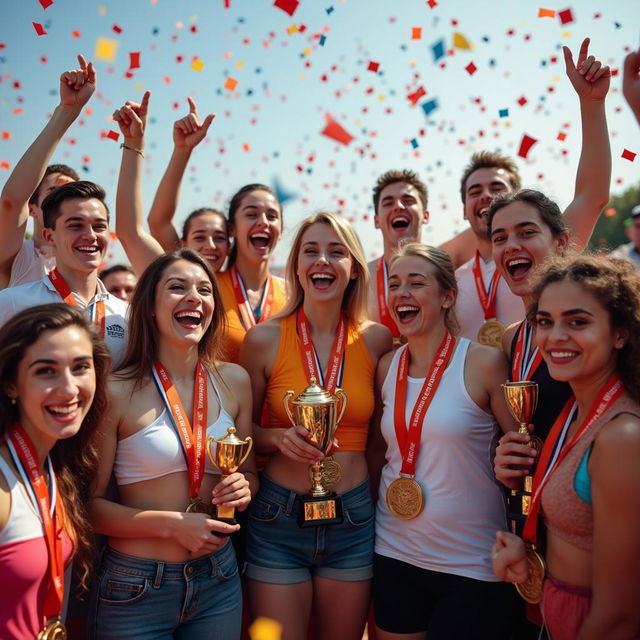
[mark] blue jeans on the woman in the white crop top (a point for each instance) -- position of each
(148, 599)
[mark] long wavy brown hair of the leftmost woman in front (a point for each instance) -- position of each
(74, 459)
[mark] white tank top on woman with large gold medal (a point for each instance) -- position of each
(464, 505)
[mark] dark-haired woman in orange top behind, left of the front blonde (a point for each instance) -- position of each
(250, 294)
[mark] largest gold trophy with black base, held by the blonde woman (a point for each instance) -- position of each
(317, 411)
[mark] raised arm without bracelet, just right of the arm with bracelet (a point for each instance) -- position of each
(188, 132)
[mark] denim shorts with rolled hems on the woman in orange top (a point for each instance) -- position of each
(281, 552)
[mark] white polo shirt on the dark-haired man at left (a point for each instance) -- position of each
(116, 332)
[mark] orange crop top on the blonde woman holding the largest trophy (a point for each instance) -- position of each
(357, 382)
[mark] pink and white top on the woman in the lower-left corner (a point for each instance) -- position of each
(24, 563)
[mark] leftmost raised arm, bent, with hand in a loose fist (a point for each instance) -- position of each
(76, 87)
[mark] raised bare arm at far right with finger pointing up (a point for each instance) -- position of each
(591, 81)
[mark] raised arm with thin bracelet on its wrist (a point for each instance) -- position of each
(141, 248)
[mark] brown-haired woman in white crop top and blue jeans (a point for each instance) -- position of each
(169, 566)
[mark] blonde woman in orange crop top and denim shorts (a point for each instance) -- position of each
(326, 564)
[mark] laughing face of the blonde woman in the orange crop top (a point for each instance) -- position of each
(325, 265)
